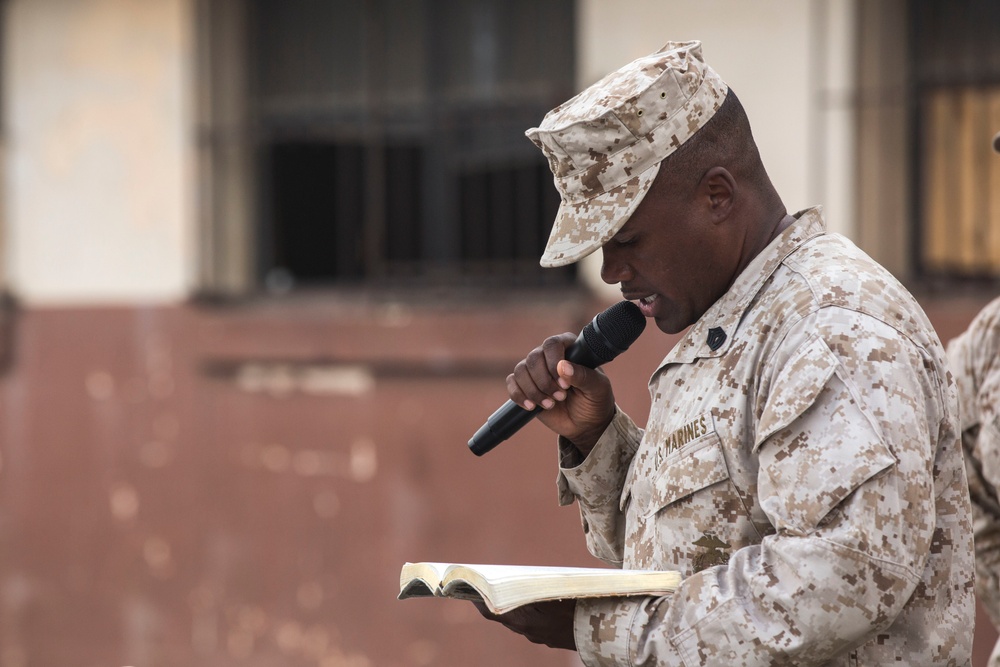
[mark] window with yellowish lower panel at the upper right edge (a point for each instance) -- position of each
(956, 61)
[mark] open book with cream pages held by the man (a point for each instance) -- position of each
(505, 587)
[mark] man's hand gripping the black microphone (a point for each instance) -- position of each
(577, 401)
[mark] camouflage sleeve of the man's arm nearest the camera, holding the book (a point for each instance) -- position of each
(846, 442)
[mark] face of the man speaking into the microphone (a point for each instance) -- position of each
(672, 256)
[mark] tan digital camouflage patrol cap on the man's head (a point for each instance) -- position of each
(605, 145)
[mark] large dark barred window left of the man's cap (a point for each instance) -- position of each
(389, 138)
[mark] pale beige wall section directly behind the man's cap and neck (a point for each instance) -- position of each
(790, 61)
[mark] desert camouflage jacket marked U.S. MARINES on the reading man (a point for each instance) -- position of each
(801, 467)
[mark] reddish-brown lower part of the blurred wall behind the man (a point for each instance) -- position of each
(240, 485)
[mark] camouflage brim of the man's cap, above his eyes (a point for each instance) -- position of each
(582, 228)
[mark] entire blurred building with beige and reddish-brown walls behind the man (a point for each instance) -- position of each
(266, 264)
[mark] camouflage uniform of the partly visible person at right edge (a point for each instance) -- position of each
(975, 362)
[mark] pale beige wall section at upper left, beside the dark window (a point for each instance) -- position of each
(98, 204)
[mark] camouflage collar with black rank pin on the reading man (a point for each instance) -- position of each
(713, 333)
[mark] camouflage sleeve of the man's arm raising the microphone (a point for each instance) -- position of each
(596, 483)
